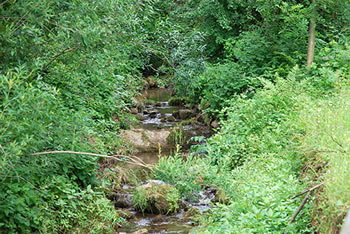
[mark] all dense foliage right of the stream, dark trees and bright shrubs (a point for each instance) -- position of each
(251, 72)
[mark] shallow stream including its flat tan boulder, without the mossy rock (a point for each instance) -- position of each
(156, 120)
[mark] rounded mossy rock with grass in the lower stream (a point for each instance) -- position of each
(156, 198)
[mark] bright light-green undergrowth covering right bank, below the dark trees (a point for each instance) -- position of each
(258, 155)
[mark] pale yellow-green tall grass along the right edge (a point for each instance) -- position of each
(327, 132)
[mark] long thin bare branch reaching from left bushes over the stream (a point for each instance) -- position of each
(134, 160)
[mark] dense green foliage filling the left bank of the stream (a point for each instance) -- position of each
(68, 72)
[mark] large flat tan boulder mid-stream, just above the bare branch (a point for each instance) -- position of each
(147, 140)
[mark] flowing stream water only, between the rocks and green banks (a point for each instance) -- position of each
(154, 118)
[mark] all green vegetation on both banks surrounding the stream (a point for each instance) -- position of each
(69, 71)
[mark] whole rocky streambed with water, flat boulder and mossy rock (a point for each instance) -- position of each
(163, 123)
